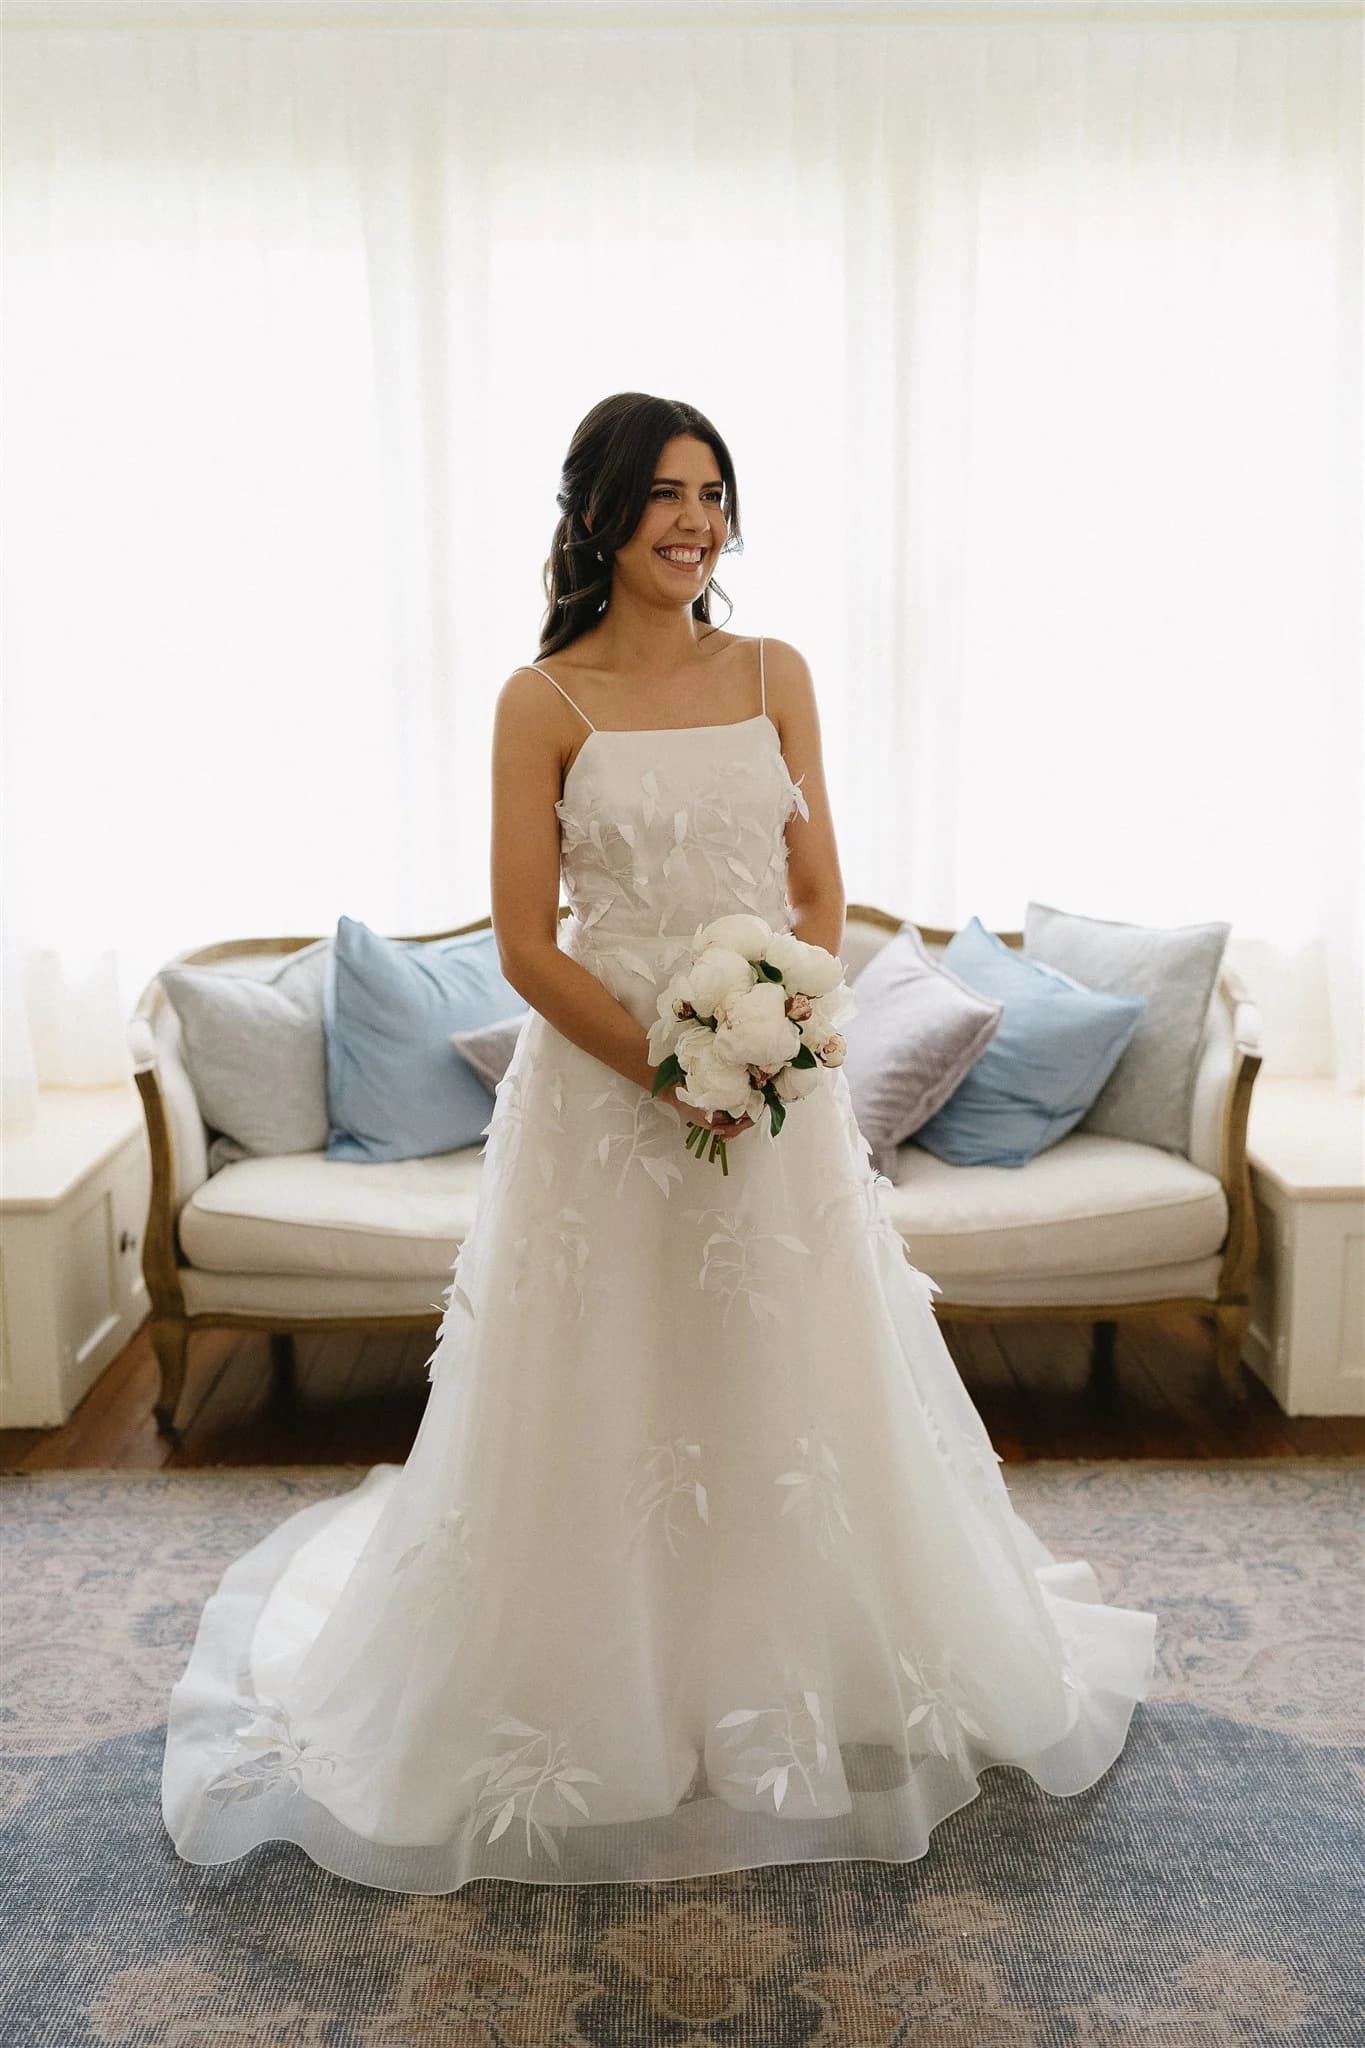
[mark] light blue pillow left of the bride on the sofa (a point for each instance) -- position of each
(396, 1084)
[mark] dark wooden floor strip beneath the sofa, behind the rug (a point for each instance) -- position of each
(359, 1402)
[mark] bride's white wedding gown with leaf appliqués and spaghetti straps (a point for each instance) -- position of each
(703, 1558)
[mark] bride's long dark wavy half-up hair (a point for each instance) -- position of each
(607, 480)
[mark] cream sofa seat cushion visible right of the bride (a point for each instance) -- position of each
(1088, 1205)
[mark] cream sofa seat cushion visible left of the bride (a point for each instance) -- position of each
(306, 1213)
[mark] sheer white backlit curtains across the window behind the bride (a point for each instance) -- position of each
(1037, 341)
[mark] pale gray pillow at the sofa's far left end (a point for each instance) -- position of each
(257, 1056)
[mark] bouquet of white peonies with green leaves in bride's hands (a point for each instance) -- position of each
(750, 1021)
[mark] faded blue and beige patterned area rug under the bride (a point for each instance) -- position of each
(1204, 1893)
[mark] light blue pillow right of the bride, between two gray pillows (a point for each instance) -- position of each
(1055, 1050)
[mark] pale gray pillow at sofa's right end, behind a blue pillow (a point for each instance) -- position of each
(1149, 1095)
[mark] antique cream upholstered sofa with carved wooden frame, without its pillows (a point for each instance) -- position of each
(1094, 1230)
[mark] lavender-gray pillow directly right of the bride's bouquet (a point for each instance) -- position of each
(914, 1039)
